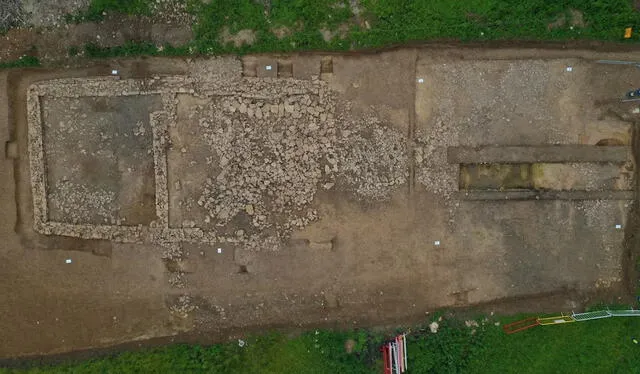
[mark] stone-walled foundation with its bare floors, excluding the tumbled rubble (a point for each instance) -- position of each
(125, 160)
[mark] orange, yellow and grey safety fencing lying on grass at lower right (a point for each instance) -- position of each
(563, 319)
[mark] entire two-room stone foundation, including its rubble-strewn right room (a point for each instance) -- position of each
(134, 160)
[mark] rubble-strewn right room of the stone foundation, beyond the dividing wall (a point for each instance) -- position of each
(245, 164)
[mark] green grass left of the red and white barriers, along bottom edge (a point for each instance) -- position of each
(312, 352)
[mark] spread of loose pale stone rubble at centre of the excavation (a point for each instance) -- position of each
(275, 146)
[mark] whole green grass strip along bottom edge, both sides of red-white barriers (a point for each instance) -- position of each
(599, 346)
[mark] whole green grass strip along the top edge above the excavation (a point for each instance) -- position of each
(387, 22)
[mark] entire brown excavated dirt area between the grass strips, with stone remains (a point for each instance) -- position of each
(208, 198)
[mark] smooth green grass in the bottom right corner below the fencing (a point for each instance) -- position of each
(598, 346)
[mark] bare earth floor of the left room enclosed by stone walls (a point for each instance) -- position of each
(99, 161)
